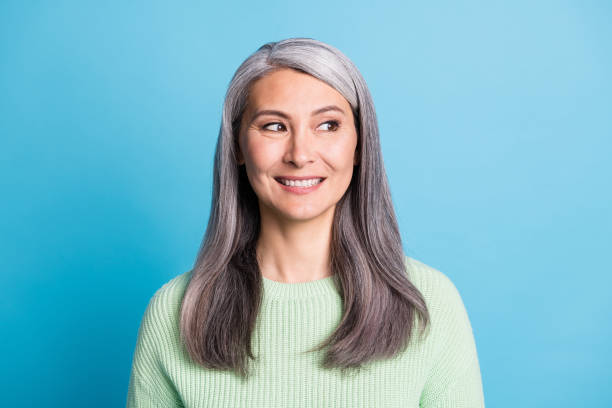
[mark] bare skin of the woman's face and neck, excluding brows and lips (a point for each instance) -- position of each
(294, 243)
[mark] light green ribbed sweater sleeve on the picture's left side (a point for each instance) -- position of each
(149, 384)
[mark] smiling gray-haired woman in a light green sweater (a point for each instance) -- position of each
(301, 295)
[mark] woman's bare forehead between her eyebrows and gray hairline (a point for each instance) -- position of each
(292, 88)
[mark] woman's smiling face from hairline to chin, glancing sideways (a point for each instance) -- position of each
(296, 126)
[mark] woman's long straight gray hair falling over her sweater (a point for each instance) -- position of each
(222, 300)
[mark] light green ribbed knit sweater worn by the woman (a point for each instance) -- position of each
(440, 371)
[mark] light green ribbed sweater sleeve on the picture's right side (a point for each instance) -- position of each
(454, 379)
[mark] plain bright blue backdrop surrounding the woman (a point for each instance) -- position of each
(495, 121)
